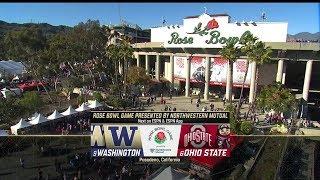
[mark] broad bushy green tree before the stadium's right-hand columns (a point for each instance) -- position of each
(276, 97)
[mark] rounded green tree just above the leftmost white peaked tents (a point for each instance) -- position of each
(30, 102)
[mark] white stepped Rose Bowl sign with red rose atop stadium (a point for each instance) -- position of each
(214, 32)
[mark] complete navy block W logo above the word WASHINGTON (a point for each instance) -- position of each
(123, 134)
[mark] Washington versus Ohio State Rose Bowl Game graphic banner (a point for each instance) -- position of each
(159, 134)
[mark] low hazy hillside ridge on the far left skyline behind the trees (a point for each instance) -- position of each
(47, 28)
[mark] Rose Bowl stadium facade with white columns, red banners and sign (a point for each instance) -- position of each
(188, 54)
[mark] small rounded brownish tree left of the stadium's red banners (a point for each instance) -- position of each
(137, 76)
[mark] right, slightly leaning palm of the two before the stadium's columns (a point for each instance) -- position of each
(248, 42)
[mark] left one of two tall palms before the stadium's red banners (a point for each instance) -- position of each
(230, 53)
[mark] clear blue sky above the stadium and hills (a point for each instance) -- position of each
(301, 17)
